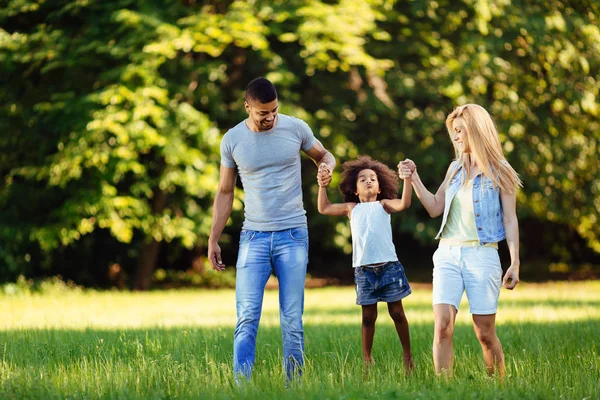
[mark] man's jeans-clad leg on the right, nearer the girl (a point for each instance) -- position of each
(290, 258)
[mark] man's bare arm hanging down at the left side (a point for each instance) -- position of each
(221, 212)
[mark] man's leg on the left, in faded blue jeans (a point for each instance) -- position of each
(253, 270)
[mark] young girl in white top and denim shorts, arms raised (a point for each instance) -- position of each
(370, 191)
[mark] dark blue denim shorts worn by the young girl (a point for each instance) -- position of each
(386, 283)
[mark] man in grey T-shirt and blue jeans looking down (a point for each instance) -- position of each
(265, 150)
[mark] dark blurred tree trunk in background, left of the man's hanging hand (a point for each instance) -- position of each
(150, 248)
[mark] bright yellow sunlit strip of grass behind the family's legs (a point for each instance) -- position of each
(125, 310)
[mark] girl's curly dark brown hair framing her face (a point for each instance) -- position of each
(388, 179)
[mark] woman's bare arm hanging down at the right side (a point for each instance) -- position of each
(511, 226)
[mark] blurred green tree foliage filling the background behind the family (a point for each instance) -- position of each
(112, 111)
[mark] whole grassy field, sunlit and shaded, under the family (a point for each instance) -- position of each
(178, 344)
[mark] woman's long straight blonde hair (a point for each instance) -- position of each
(485, 147)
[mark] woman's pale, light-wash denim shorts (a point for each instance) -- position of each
(474, 269)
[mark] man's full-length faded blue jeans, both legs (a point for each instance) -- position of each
(285, 253)
